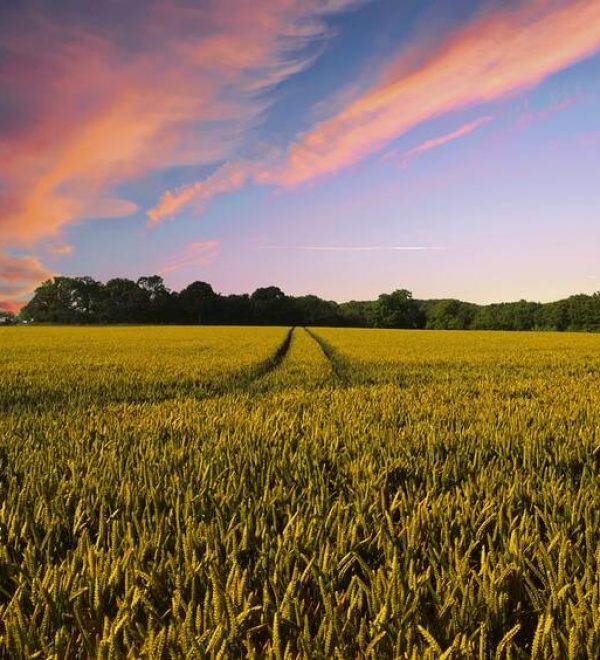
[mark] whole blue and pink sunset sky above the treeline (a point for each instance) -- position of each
(343, 148)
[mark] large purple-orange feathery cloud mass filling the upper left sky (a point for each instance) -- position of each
(91, 103)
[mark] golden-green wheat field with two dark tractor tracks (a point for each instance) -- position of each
(268, 492)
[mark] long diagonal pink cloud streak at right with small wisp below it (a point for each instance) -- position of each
(503, 51)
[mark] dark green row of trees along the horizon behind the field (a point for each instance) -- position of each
(83, 300)
